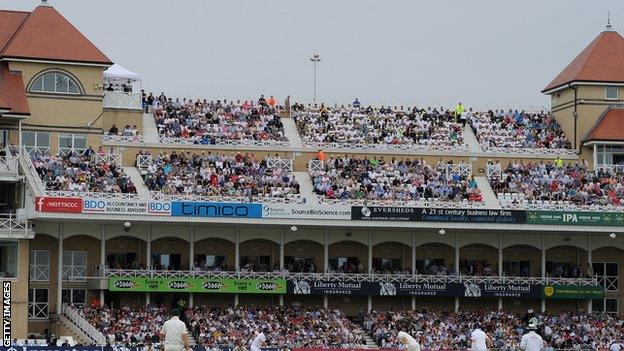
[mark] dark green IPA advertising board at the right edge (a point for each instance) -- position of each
(576, 218)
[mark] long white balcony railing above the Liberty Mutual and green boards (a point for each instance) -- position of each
(360, 277)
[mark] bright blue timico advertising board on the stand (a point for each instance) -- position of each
(215, 209)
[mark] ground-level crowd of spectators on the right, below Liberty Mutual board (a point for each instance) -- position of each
(438, 330)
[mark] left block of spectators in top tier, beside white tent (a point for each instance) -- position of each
(215, 122)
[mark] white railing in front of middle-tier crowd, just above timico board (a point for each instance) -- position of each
(289, 199)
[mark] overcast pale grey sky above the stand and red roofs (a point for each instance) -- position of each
(483, 53)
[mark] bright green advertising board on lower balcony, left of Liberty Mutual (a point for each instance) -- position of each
(198, 285)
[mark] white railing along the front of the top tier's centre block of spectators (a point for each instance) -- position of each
(433, 146)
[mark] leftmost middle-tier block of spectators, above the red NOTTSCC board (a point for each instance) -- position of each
(77, 172)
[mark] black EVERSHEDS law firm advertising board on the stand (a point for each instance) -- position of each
(417, 214)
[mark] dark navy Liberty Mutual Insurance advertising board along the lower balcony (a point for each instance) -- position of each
(318, 287)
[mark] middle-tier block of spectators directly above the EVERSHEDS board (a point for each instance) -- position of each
(372, 178)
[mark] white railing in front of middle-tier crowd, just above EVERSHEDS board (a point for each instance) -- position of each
(433, 203)
